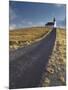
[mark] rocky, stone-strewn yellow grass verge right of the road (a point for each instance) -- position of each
(55, 73)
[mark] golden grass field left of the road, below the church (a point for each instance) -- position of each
(26, 36)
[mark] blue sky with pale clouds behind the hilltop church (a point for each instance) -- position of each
(29, 14)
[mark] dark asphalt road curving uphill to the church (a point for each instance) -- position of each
(26, 65)
